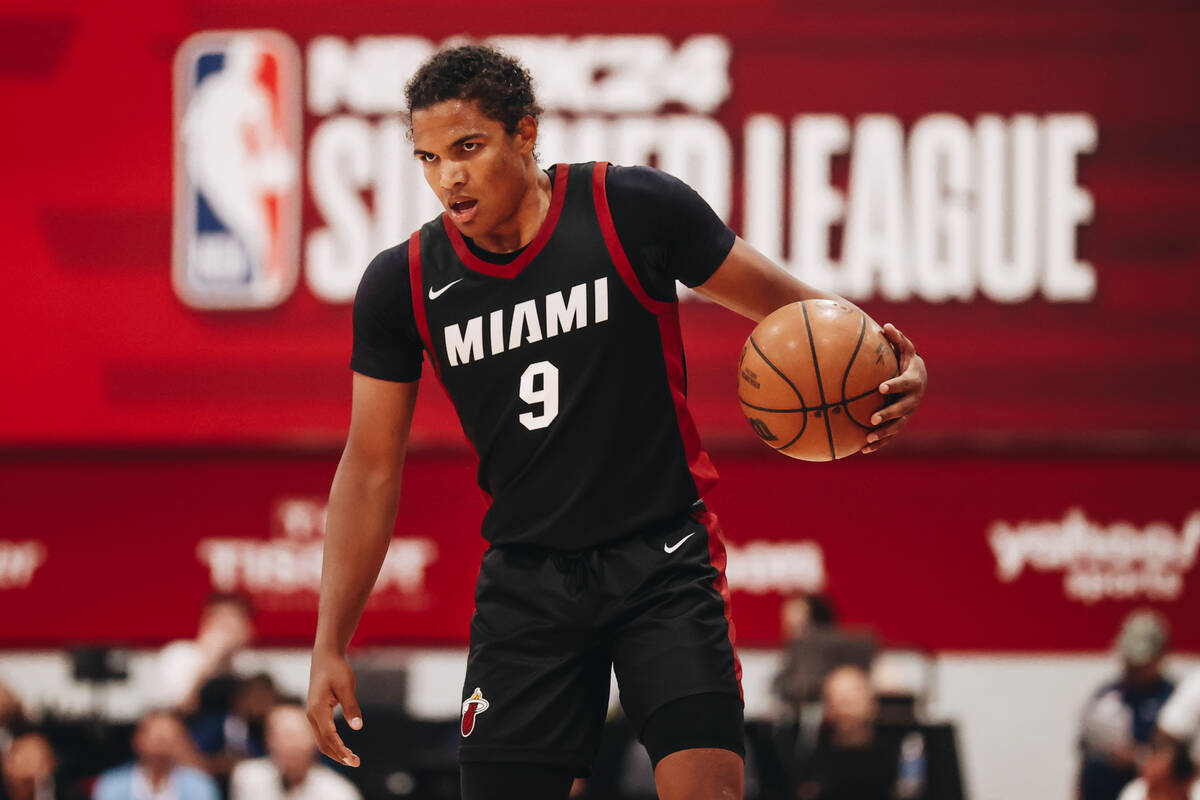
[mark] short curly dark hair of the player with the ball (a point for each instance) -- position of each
(497, 82)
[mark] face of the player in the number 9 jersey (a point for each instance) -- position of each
(478, 170)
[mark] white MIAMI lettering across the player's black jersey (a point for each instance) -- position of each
(557, 315)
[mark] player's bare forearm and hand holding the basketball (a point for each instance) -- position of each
(752, 285)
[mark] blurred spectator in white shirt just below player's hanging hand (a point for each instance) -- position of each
(292, 772)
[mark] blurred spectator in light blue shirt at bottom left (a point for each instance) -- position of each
(161, 749)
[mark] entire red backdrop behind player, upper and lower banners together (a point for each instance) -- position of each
(193, 193)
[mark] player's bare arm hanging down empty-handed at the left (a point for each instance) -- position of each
(362, 516)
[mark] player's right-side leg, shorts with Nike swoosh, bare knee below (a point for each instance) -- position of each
(675, 661)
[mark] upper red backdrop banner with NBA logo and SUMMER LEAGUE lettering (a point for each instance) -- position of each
(1015, 187)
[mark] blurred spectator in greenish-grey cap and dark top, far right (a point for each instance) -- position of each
(1119, 720)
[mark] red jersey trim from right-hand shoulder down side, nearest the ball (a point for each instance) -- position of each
(704, 474)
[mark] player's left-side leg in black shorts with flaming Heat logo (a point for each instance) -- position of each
(537, 685)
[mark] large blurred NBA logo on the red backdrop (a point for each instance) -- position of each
(237, 170)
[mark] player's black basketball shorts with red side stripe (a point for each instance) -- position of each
(550, 628)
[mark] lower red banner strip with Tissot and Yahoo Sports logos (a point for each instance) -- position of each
(1010, 555)
